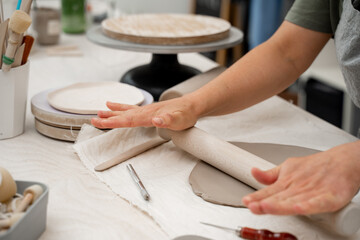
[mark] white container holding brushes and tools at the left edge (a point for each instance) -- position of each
(13, 98)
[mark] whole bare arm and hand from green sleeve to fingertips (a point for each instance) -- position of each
(263, 72)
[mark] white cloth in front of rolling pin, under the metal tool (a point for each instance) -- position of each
(165, 171)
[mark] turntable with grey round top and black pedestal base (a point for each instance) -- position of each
(164, 71)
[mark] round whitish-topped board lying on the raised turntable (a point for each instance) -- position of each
(166, 29)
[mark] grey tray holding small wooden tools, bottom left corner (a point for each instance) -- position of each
(33, 223)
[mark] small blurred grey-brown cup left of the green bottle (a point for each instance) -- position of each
(47, 25)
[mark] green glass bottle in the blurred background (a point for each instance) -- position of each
(73, 17)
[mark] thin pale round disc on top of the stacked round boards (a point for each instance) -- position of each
(91, 97)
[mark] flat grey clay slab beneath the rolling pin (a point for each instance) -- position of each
(217, 187)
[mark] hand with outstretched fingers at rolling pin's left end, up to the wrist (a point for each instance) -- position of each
(175, 114)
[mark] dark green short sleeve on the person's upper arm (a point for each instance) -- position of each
(311, 14)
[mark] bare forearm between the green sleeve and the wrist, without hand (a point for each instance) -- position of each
(262, 73)
